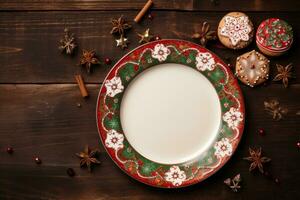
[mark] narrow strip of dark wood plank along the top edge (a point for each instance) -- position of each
(189, 5)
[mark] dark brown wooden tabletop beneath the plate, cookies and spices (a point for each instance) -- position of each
(38, 96)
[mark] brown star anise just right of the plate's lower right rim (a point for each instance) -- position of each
(257, 160)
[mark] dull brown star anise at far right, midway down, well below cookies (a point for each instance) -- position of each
(274, 109)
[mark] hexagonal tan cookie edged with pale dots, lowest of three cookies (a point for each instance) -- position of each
(252, 68)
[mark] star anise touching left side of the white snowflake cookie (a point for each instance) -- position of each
(205, 34)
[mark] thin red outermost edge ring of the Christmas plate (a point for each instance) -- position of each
(241, 102)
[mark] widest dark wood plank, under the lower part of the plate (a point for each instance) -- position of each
(43, 120)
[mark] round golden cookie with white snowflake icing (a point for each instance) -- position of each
(235, 30)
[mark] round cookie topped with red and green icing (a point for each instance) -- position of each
(274, 37)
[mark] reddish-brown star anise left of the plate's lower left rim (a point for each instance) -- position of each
(88, 157)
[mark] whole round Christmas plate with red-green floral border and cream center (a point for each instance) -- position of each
(170, 113)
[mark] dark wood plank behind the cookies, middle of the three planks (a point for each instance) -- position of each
(29, 40)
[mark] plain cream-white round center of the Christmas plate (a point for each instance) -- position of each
(170, 113)
